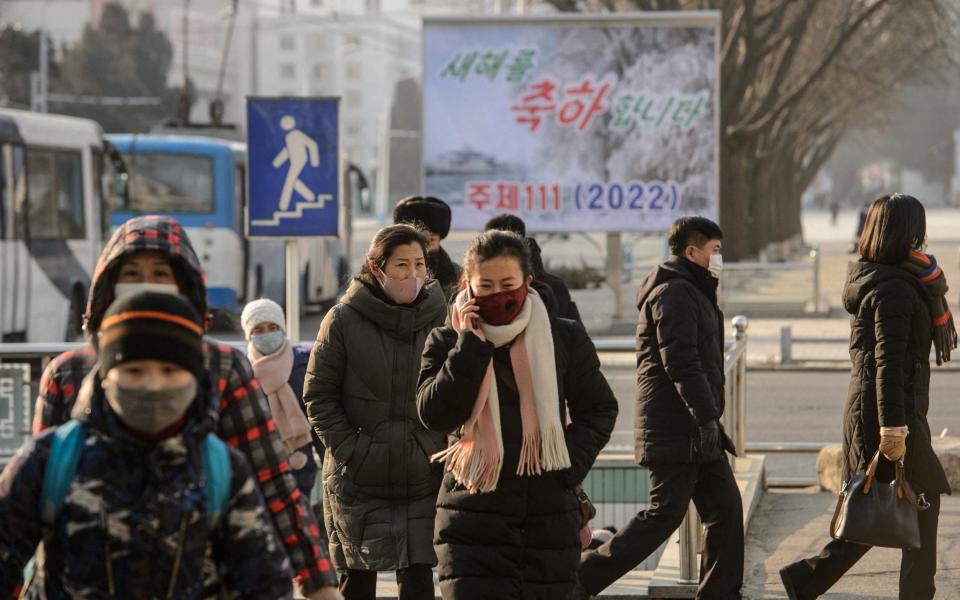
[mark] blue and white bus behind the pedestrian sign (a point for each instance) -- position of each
(200, 181)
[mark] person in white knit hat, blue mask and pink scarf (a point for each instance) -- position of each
(281, 367)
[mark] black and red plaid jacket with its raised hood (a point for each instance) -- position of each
(244, 414)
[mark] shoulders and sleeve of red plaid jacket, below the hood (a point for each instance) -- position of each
(245, 423)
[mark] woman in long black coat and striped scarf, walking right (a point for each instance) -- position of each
(896, 295)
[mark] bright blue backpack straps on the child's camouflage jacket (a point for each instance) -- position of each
(65, 450)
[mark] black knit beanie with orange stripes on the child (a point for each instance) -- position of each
(152, 326)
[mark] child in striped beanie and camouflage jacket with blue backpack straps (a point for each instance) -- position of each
(151, 492)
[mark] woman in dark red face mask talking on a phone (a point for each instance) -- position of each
(502, 377)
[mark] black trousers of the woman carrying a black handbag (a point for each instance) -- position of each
(814, 576)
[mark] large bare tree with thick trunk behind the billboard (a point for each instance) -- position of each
(795, 76)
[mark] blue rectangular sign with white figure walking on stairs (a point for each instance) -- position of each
(293, 167)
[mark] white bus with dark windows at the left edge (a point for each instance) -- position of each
(58, 178)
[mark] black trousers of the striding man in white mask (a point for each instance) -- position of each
(714, 491)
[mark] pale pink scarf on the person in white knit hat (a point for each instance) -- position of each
(273, 373)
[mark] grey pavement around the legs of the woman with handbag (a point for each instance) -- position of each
(792, 524)
